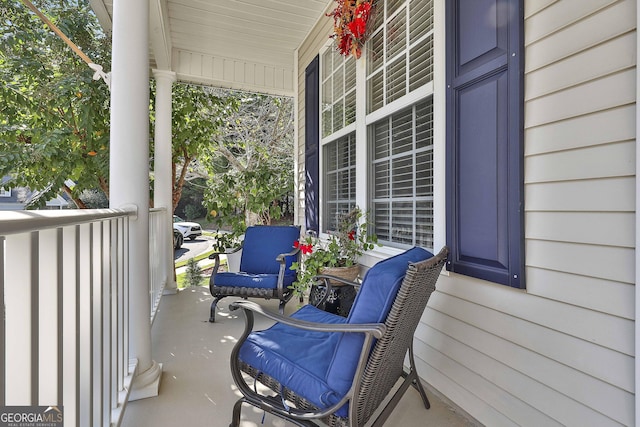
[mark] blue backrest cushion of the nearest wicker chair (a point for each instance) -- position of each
(372, 305)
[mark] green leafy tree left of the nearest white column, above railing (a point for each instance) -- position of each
(54, 121)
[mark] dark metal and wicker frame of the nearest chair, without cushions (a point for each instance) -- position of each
(378, 371)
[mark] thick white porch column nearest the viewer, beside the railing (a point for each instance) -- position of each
(129, 173)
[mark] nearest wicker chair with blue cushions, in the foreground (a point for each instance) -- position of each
(322, 366)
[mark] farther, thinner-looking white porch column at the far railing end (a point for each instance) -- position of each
(163, 187)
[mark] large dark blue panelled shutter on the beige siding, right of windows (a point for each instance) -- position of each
(485, 210)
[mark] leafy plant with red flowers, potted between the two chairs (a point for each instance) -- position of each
(337, 256)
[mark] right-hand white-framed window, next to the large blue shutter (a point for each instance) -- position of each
(400, 107)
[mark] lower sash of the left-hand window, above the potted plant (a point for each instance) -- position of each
(339, 179)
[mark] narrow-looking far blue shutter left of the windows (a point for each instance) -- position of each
(311, 145)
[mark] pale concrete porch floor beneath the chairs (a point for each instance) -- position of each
(196, 388)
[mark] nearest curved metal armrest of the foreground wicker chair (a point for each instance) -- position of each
(375, 329)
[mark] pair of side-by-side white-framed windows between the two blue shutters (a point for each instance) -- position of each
(394, 135)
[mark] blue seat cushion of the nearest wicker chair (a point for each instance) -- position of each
(297, 359)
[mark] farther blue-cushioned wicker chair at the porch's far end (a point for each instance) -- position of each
(267, 254)
